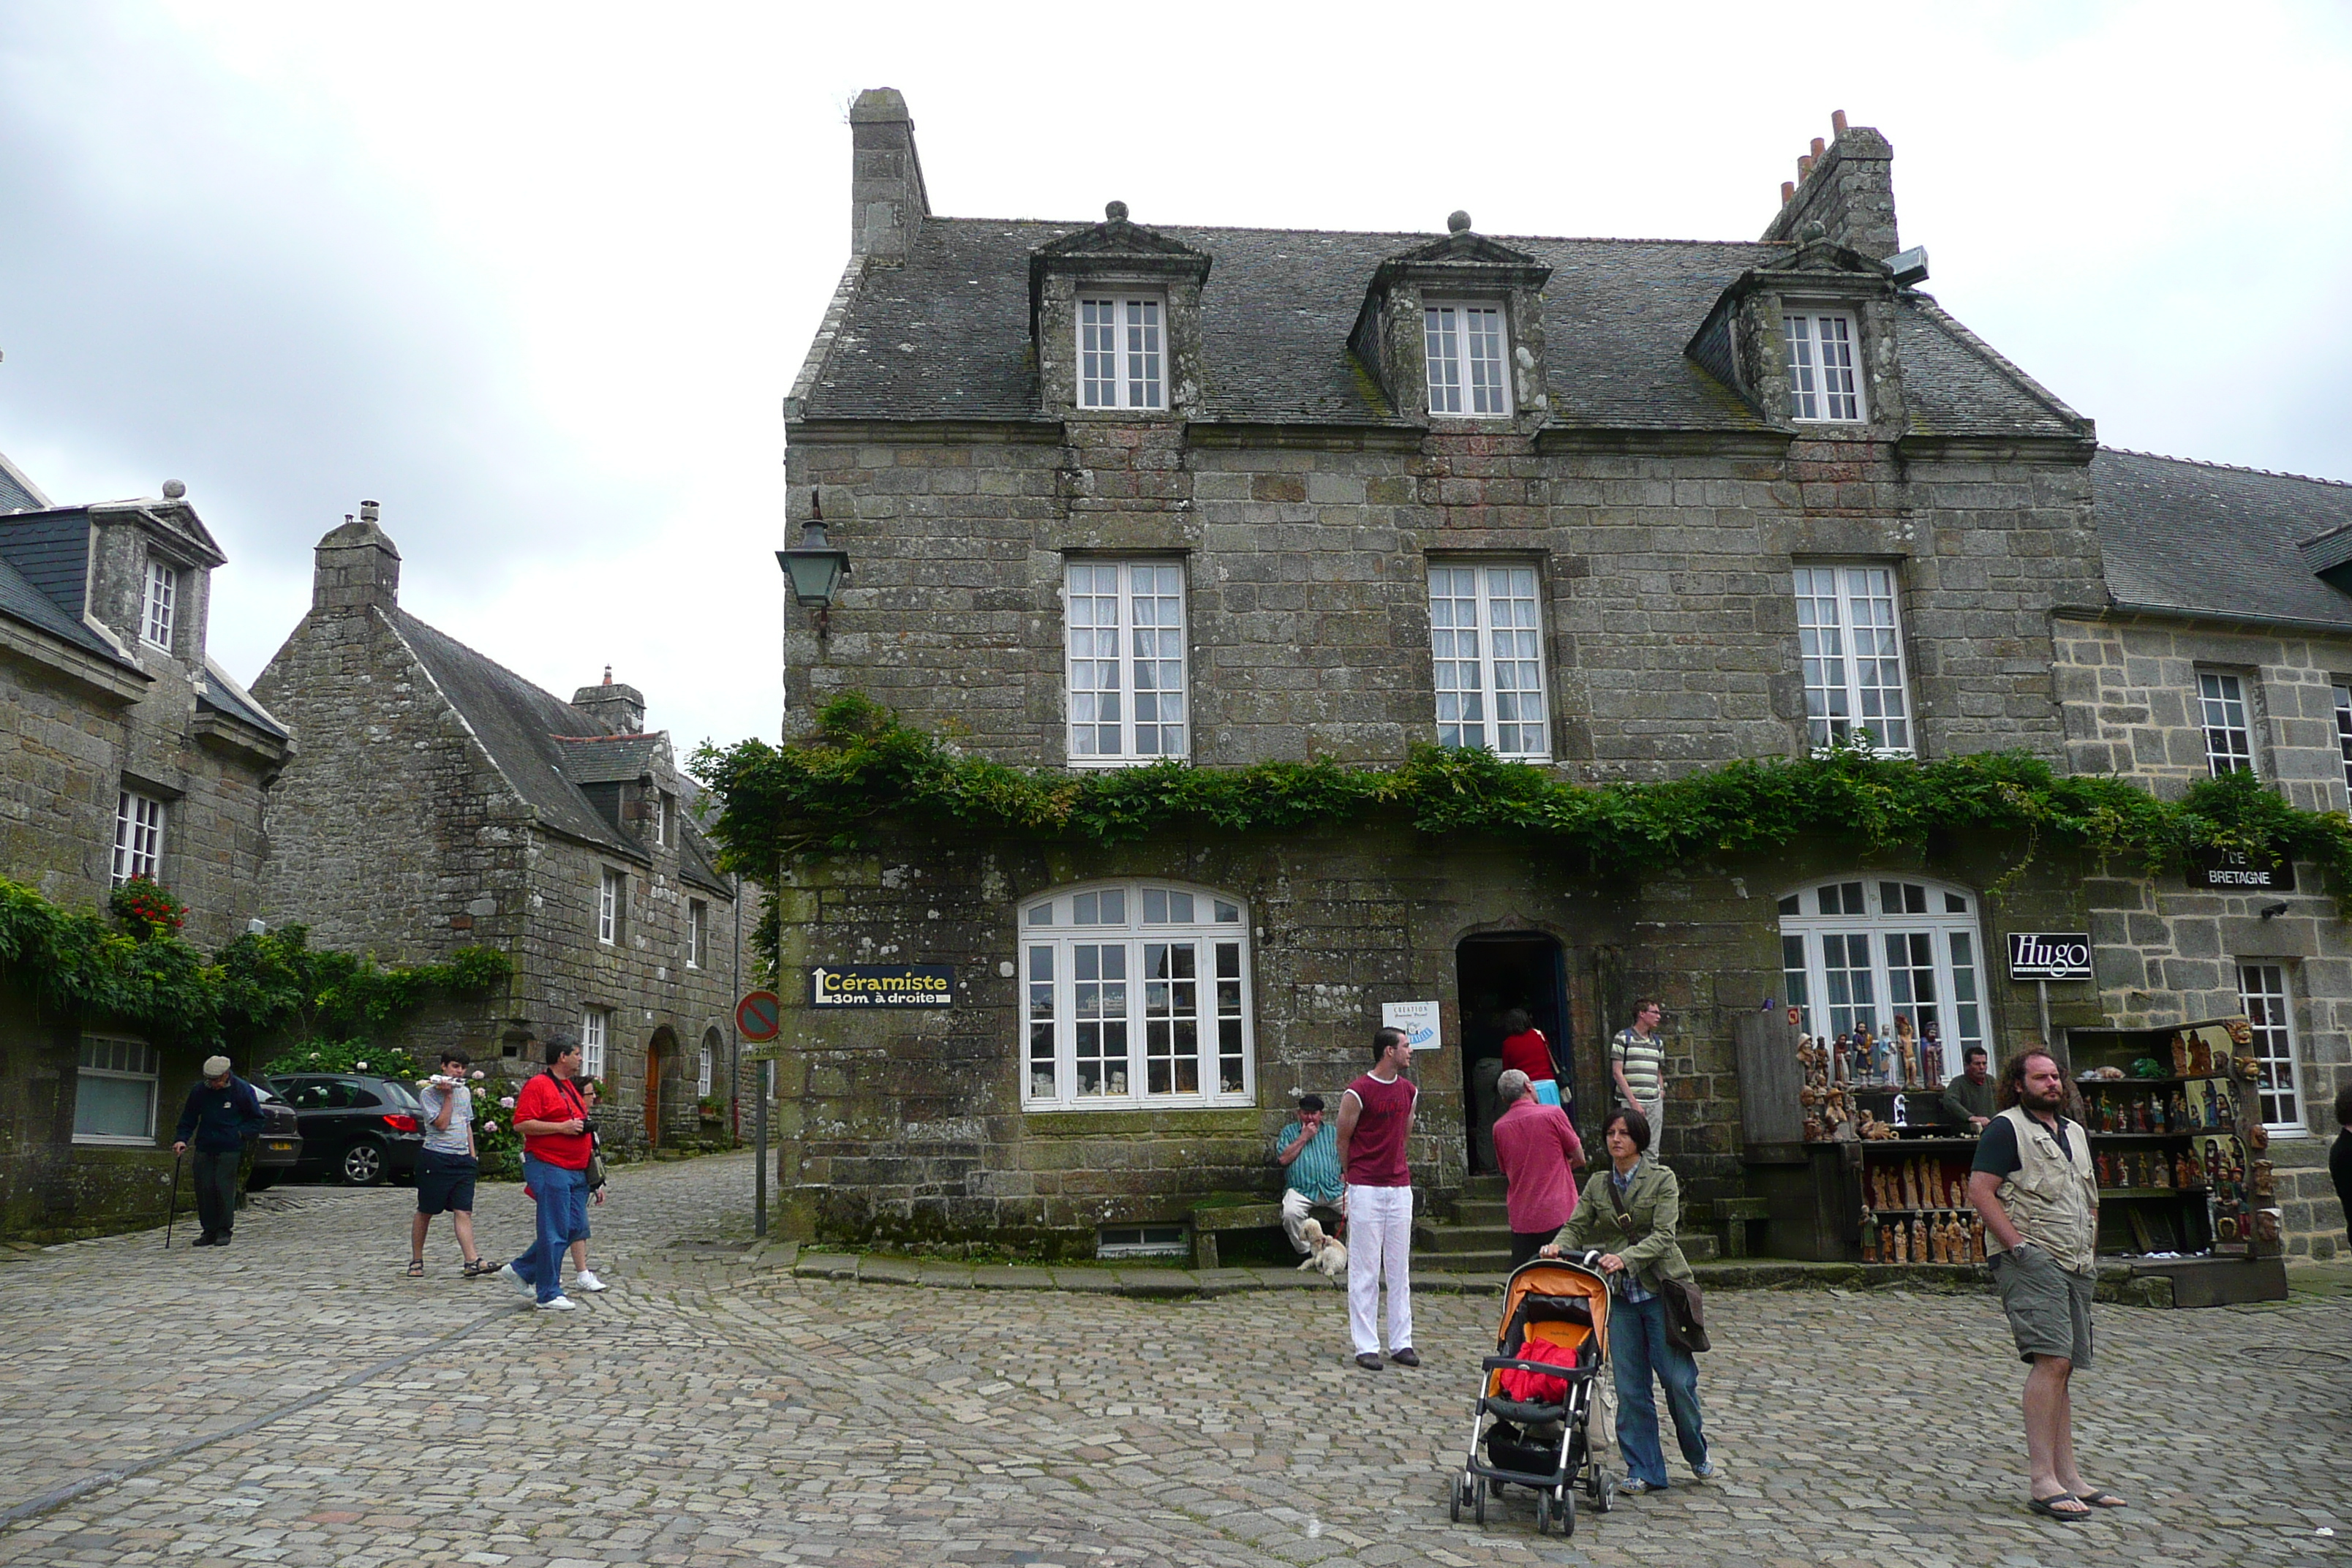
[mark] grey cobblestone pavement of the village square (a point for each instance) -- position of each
(295, 1400)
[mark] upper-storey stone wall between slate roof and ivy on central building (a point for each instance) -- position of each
(1671, 624)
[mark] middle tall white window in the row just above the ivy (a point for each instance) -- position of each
(1488, 655)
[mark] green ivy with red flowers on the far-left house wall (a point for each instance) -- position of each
(140, 974)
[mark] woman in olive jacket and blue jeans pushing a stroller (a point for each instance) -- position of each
(1631, 1217)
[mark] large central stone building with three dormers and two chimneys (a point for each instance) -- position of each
(1622, 509)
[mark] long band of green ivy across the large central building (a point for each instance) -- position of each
(864, 772)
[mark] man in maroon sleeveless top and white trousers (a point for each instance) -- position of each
(1375, 1120)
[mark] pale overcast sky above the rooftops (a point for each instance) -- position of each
(537, 276)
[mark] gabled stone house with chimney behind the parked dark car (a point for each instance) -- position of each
(443, 800)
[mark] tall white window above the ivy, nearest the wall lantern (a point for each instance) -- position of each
(1128, 662)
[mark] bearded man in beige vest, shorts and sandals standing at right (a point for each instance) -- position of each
(2038, 1193)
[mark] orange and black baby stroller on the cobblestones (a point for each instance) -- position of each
(1537, 1430)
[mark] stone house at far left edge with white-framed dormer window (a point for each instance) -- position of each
(131, 753)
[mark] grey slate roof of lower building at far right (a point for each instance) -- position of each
(2212, 540)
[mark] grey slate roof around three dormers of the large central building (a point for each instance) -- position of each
(947, 335)
